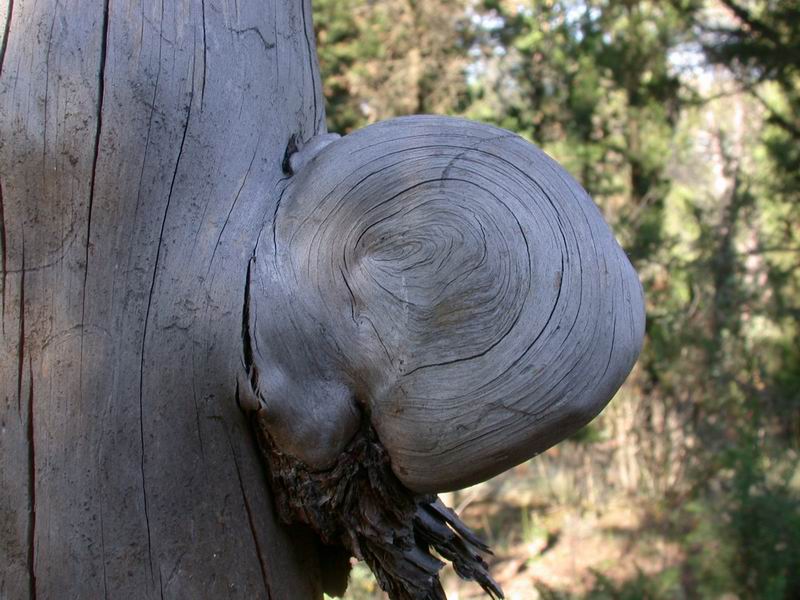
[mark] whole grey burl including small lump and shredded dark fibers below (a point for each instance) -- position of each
(435, 301)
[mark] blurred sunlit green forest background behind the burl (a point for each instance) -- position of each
(682, 120)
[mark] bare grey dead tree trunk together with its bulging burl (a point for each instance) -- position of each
(436, 302)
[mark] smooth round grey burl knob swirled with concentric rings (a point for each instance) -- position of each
(460, 286)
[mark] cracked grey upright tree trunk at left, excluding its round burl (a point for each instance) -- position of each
(140, 155)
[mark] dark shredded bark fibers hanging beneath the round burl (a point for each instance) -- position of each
(360, 505)
